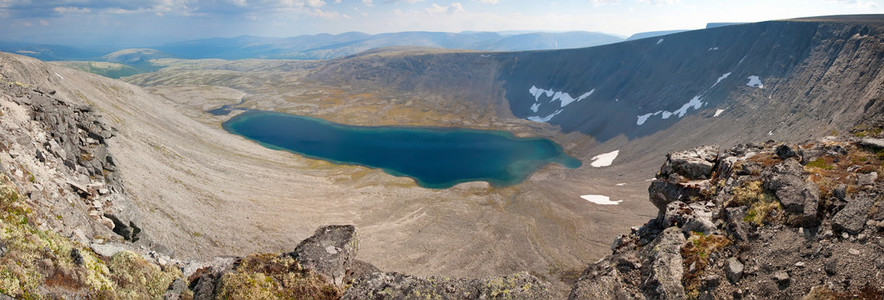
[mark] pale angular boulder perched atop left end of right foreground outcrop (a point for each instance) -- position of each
(693, 164)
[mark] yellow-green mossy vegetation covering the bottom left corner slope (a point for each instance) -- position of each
(38, 261)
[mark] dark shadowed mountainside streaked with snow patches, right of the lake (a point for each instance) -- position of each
(793, 69)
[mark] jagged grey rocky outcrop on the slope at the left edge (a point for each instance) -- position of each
(70, 139)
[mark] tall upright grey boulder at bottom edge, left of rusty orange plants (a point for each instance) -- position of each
(662, 271)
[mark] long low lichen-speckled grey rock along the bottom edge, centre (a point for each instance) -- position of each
(400, 286)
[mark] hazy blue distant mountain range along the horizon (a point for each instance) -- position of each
(318, 46)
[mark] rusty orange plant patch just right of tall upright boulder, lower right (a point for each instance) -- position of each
(695, 255)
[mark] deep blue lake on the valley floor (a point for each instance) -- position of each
(433, 157)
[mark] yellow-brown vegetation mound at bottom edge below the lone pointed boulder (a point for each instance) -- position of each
(270, 276)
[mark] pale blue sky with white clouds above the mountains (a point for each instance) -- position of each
(134, 23)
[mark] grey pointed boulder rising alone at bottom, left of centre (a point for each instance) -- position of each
(329, 252)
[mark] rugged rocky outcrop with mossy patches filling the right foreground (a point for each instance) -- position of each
(768, 225)
